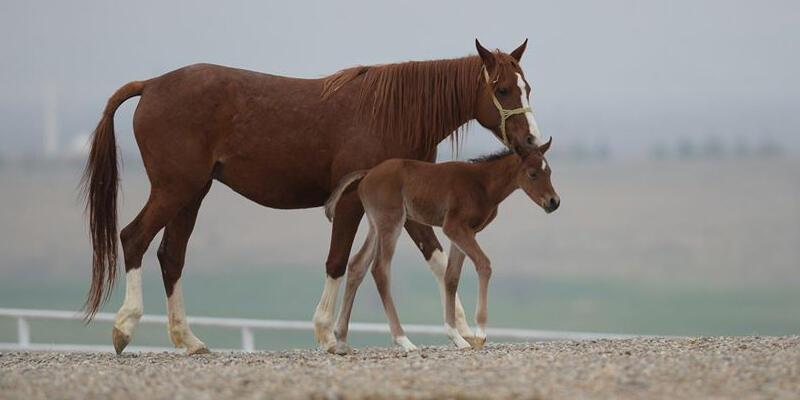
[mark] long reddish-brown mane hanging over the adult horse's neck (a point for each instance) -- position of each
(419, 101)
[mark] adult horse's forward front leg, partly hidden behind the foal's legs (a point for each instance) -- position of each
(425, 239)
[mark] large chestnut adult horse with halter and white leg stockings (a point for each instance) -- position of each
(283, 143)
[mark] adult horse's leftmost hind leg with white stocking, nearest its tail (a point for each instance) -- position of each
(161, 207)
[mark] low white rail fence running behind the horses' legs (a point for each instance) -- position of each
(248, 326)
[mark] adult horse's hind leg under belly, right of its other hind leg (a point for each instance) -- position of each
(171, 256)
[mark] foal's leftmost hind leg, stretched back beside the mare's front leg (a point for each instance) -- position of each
(355, 274)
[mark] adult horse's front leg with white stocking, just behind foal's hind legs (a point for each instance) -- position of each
(345, 225)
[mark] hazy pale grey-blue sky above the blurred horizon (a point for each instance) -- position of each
(627, 72)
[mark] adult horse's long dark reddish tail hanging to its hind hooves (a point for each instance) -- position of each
(99, 186)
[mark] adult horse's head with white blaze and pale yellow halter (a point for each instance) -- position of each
(502, 103)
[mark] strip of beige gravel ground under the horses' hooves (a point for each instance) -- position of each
(653, 368)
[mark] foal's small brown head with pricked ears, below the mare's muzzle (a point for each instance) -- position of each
(534, 178)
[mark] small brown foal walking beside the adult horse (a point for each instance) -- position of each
(460, 197)
